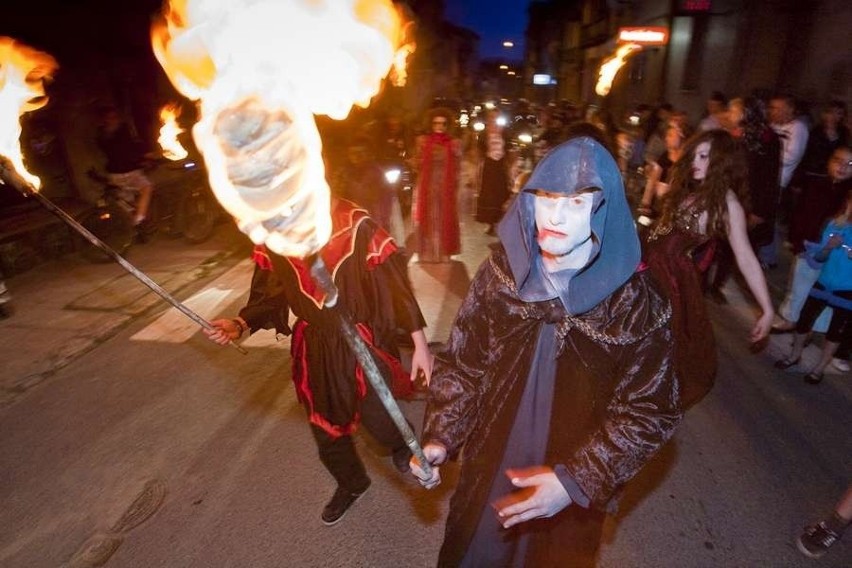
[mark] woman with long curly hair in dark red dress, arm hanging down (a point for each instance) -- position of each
(707, 200)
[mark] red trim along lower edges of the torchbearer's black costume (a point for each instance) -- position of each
(299, 351)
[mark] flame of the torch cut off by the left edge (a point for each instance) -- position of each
(23, 72)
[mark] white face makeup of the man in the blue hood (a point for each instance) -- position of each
(564, 228)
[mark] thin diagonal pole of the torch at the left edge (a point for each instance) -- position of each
(11, 178)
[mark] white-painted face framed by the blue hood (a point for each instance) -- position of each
(563, 222)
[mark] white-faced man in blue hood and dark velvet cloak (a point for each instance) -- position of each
(557, 379)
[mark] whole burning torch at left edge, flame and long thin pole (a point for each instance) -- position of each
(23, 73)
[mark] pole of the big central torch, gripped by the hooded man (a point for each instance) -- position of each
(362, 353)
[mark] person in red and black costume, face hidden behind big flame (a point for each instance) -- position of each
(374, 290)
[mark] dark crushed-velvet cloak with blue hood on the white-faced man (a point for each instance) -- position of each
(614, 398)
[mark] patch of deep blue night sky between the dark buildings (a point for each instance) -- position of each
(494, 21)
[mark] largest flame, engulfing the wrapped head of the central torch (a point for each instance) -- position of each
(261, 69)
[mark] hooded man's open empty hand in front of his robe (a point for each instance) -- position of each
(543, 496)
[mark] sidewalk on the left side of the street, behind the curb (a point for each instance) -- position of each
(62, 309)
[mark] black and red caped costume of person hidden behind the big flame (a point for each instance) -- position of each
(371, 276)
